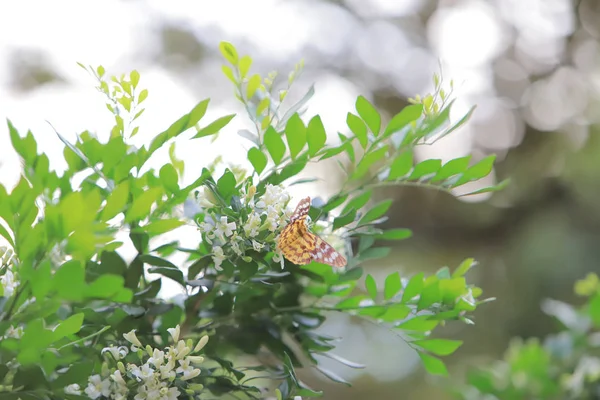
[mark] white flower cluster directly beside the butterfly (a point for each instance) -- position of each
(256, 227)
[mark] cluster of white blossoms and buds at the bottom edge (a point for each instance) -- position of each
(158, 375)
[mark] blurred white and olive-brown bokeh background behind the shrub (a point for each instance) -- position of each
(532, 67)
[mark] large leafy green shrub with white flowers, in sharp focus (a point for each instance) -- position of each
(79, 320)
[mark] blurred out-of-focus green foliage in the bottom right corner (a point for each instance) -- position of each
(566, 365)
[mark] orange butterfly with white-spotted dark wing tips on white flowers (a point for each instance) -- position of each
(300, 246)
